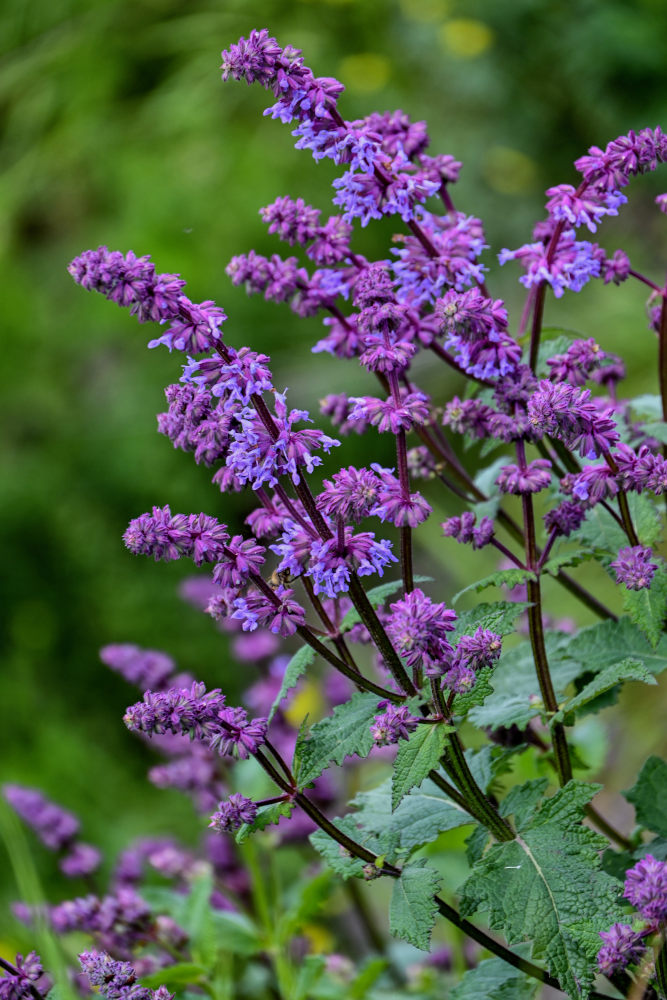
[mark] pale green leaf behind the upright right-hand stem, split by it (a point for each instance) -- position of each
(516, 693)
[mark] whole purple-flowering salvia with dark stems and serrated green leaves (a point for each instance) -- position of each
(554, 893)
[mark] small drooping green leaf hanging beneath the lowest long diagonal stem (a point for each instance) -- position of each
(412, 910)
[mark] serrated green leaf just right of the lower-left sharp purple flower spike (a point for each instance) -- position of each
(344, 733)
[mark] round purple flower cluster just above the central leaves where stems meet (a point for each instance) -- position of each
(418, 629)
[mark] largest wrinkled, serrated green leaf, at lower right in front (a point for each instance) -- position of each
(546, 886)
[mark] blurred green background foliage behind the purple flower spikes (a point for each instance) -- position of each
(117, 130)
